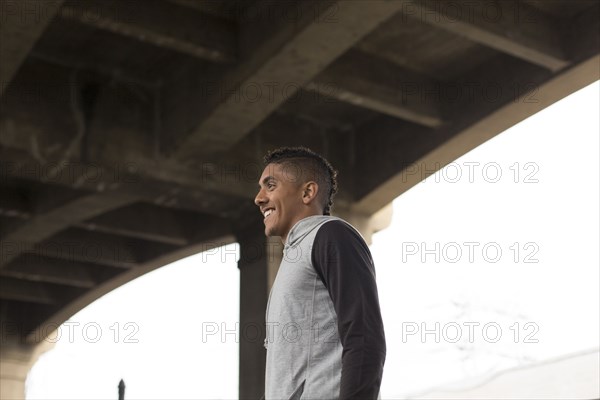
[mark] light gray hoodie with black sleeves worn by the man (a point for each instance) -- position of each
(324, 331)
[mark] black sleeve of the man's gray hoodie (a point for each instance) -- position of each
(343, 261)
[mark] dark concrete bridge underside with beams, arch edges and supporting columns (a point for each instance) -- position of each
(132, 131)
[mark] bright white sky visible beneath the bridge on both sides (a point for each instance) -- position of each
(517, 254)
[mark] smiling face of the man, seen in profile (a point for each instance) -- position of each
(279, 199)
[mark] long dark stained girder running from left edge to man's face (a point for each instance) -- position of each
(214, 188)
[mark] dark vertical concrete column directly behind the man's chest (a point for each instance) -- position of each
(258, 264)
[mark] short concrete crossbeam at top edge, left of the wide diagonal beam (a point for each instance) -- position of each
(185, 31)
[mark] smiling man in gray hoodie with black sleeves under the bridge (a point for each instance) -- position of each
(325, 337)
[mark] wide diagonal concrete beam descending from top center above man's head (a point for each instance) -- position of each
(285, 62)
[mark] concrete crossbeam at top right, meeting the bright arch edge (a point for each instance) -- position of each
(511, 27)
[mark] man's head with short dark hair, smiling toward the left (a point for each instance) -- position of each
(296, 183)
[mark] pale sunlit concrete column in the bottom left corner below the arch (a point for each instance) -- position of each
(16, 360)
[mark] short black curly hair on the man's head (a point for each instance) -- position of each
(313, 163)
